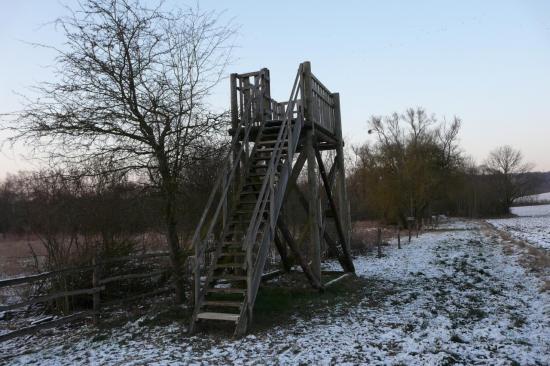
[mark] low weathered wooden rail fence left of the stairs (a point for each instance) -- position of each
(97, 286)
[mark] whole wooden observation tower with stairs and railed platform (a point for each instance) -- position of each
(242, 222)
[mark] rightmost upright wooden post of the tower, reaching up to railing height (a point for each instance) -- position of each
(342, 192)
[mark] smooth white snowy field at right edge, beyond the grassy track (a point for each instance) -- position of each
(531, 225)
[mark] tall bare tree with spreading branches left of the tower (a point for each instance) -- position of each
(130, 88)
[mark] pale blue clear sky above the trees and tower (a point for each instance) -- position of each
(487, 62)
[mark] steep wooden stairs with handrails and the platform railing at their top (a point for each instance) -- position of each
(229, 266)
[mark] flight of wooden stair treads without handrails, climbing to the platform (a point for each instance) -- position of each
(226, 292)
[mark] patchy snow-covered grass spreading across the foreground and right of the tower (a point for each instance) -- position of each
(447, 297)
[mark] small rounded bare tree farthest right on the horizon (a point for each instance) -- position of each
(506, 165)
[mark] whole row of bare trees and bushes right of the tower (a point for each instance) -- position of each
(416, 169)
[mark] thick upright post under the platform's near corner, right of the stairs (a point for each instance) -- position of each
(313, 208)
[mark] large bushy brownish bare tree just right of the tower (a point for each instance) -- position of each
(409, 168)
